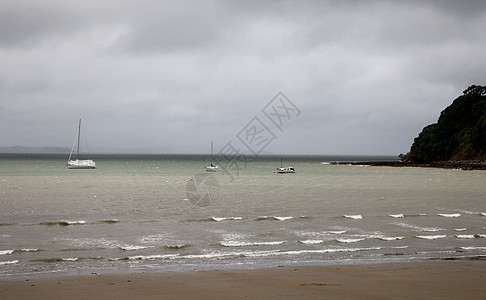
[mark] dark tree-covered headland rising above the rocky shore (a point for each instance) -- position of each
(459, 134)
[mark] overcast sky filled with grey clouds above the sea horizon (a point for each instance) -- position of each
(364, 77)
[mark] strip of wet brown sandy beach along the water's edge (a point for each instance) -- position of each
(416, 280)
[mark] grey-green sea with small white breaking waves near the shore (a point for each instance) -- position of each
(165, 213)
